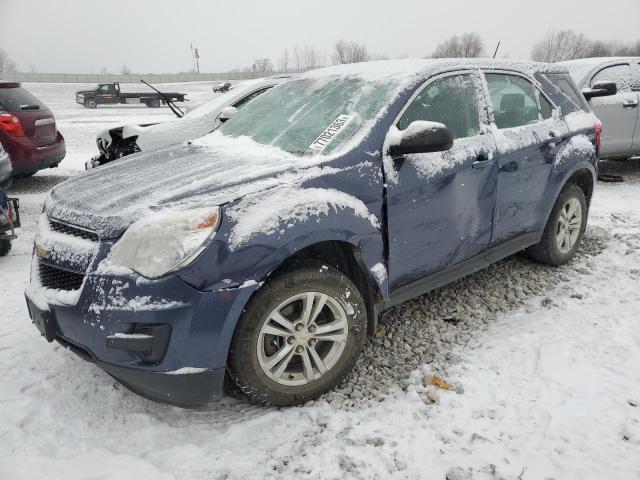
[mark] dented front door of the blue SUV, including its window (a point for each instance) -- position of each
(440, 205)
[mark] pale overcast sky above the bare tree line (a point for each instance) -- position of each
(153, 36)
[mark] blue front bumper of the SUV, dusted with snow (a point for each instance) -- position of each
(191, 369)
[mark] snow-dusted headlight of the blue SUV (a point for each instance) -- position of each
(163, 242)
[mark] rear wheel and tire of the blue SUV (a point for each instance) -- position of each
(565, 228)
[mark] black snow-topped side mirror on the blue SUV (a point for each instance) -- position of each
(421, 137)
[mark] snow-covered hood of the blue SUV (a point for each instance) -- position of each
(213, 171)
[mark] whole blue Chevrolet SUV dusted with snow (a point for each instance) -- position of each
(266, 251)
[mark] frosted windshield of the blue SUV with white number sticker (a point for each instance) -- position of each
(313, 115)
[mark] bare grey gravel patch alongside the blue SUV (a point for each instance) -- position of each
(430, 329)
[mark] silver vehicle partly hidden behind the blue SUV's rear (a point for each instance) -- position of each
(618, 113)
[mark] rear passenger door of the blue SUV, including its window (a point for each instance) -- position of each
(527, 138)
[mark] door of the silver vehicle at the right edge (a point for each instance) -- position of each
(618, 113)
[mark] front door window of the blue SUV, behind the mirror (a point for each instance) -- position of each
(449, 100)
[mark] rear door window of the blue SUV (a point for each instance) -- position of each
(514, 100)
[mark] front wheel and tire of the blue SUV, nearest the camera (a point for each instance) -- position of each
(299, 376)
